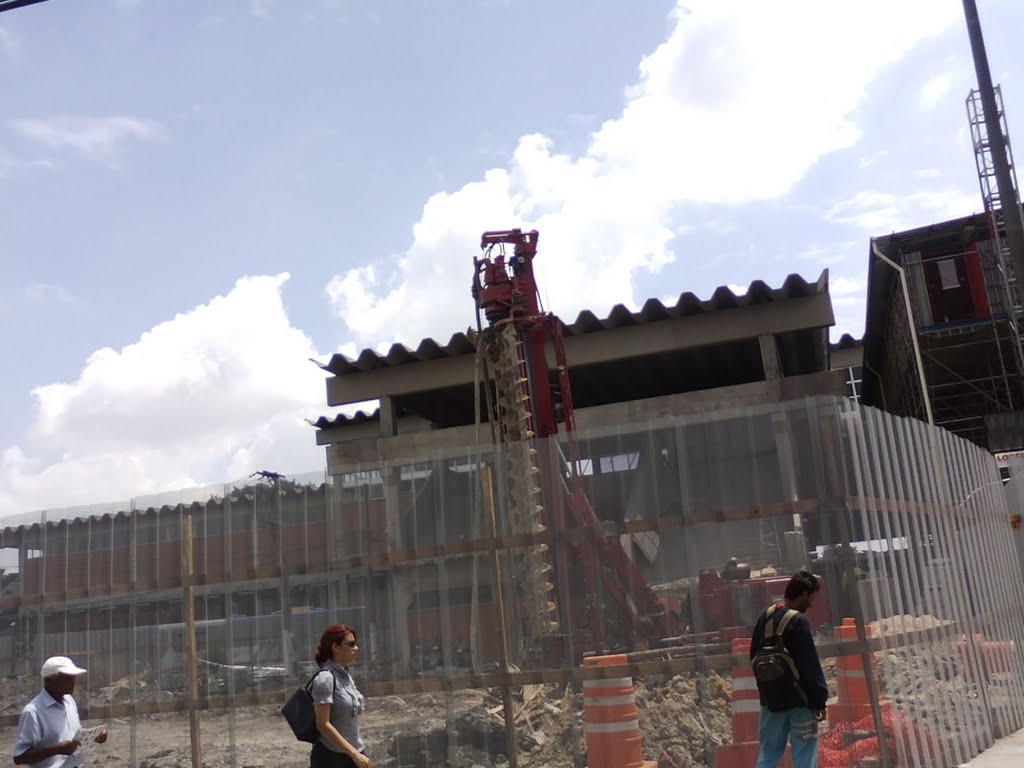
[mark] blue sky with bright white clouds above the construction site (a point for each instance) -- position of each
(197, 200)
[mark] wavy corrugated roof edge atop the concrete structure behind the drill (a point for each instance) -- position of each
(586, 323)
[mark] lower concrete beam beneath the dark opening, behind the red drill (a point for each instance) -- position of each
(460, 441)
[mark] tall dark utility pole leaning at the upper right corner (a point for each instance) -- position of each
(1013, 223)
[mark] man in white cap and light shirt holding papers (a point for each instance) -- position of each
(50, 729)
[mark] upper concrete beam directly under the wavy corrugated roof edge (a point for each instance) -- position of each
(605, 347)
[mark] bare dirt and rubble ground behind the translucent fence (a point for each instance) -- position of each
(682, 719)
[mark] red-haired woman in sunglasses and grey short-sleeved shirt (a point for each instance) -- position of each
(338, 703)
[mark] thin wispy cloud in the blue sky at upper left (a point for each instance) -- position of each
(98, 139)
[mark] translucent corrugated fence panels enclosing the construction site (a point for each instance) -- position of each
(477, 595)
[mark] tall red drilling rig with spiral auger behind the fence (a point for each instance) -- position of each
(584, 579)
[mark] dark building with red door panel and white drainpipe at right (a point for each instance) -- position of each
(964, 315)
